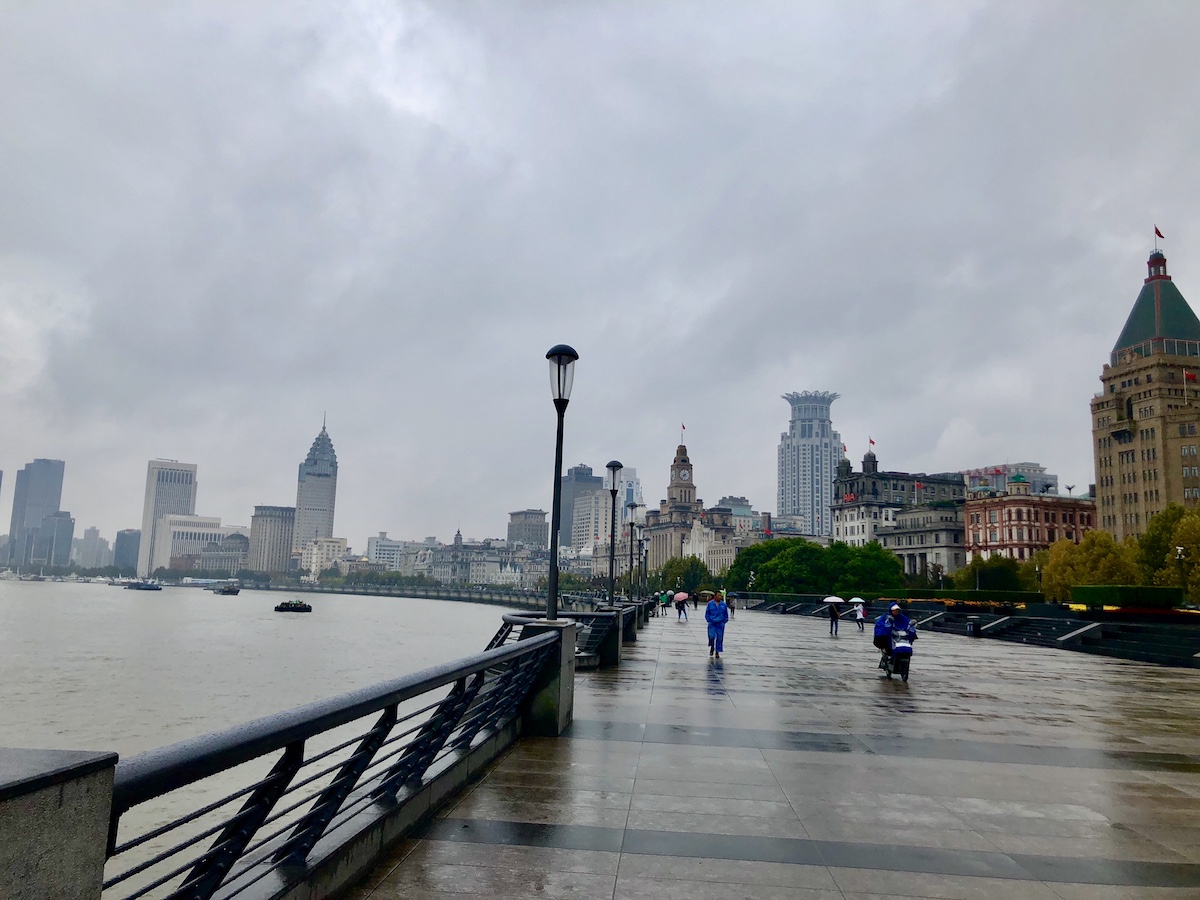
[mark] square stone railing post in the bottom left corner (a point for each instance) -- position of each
(55, 818)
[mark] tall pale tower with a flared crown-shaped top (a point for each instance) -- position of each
(809, 453)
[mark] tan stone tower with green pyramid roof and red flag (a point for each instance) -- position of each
(1145, 421)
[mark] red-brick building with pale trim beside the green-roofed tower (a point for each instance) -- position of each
(1016, 524)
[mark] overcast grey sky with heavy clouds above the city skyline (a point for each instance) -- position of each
(221, 220)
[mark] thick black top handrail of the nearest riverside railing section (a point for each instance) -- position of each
(157, 772)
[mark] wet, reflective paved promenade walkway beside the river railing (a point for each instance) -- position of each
(794, 770)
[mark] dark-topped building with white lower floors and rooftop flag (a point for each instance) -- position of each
(867, 501)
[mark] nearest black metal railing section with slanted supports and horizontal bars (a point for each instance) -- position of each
(231, 811)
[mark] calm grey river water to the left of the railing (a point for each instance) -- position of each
(98, 668)
